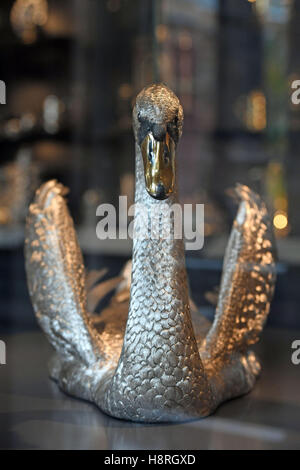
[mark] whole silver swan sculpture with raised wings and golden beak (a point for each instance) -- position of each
(149, 356)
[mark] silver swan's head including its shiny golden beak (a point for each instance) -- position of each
(157, 124)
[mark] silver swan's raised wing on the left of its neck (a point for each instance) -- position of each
(56, 276)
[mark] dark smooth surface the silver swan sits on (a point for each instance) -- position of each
(34, 414)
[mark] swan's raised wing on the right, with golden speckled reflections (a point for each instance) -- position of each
(248, 280)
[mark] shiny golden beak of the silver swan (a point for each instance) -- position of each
(159, 165)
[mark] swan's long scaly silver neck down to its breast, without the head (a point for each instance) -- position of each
(159, 371)
